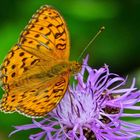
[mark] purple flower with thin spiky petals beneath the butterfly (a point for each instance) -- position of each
(92, 109)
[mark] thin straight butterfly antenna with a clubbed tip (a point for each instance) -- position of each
(92, 40)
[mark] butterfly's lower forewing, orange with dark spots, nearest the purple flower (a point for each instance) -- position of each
(44, 99)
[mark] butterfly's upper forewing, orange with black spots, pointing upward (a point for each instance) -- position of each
(46, 35)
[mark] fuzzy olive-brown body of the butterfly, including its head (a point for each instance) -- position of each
(45, 74)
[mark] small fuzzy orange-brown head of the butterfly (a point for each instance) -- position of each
(75, 67)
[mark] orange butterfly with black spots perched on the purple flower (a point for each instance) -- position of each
(36, 71)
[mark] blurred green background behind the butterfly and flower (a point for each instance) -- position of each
(118, 46)
